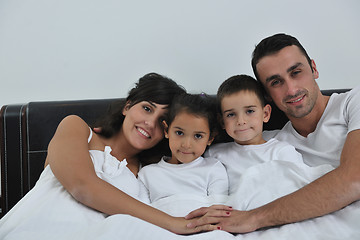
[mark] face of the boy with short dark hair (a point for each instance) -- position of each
(243, 117)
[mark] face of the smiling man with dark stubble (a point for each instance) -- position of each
(290, 81)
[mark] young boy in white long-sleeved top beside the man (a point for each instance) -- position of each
(243, 111)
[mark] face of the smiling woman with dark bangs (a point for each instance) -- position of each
(142, 126)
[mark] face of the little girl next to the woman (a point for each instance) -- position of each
(188, 137)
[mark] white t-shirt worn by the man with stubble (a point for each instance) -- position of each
(324, 145)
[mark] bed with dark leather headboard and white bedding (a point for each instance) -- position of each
(26, 129)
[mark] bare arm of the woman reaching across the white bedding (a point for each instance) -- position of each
(69, 159)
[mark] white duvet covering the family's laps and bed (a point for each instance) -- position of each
(258, 185)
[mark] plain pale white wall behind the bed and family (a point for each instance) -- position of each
(82, 49)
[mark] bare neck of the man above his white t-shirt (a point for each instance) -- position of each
(306, 125)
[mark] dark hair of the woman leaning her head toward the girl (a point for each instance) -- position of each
(154, 88)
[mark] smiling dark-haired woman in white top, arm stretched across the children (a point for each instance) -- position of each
(92, 175)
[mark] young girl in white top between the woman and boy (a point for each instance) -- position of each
(185, 175)
